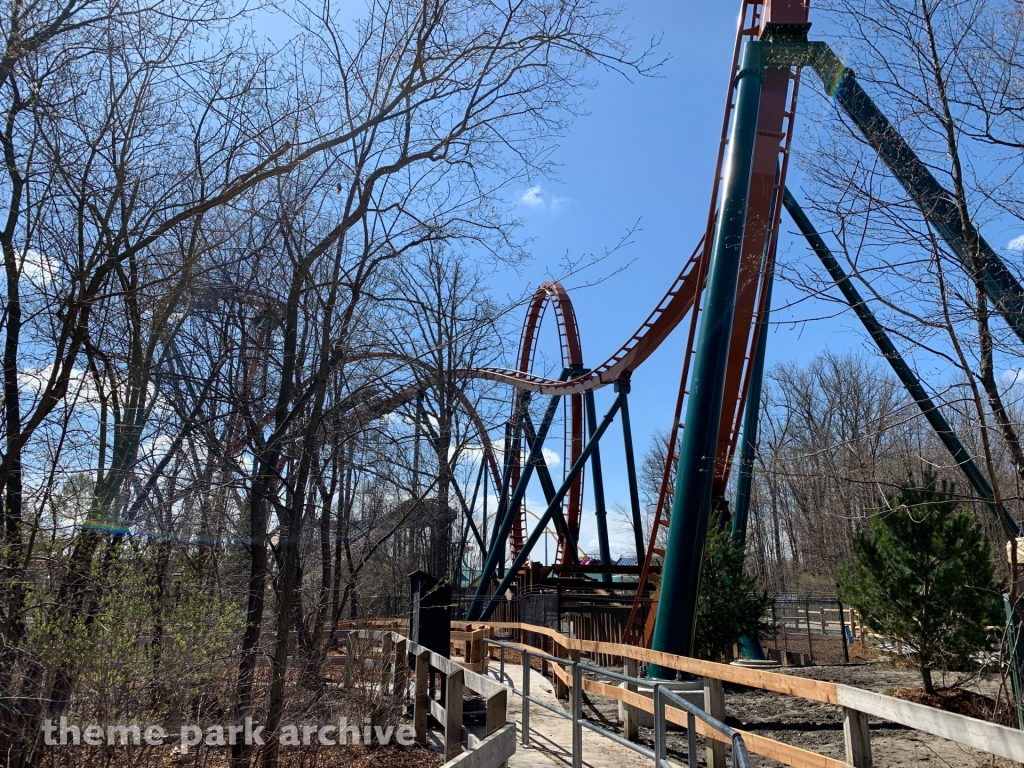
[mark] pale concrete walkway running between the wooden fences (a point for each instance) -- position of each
(551, 736)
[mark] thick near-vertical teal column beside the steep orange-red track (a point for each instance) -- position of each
(674, 629)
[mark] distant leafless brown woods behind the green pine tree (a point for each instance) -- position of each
(838, 438)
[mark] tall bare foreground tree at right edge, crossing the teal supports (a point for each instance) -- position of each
(946, 73)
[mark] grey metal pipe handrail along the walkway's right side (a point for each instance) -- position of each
(662, 694)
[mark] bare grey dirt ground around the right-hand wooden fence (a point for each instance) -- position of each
(819, 728)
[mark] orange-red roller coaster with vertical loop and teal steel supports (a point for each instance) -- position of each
(722, 296)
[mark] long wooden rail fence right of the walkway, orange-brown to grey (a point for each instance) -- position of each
(857, 703)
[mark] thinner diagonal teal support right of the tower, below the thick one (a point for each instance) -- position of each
(911, 381)
